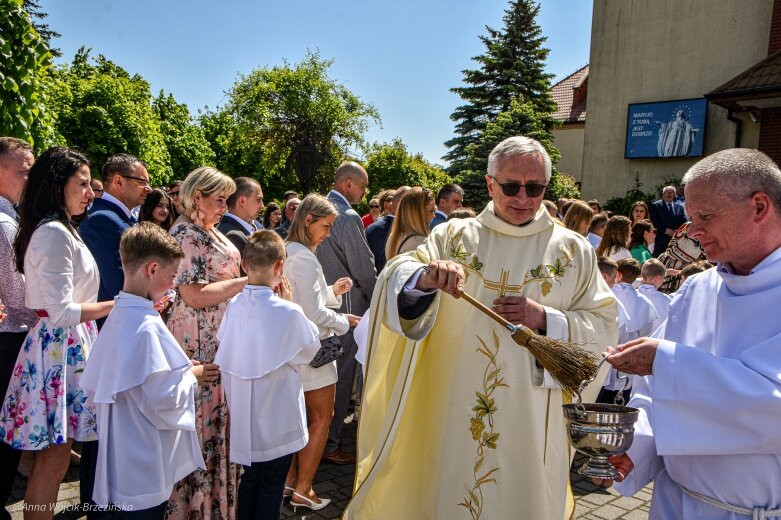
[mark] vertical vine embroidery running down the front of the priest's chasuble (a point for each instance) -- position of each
(481, 426)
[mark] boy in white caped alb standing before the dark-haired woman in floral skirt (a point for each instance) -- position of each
(142, 384)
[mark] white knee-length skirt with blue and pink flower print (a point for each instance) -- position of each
(44, 404)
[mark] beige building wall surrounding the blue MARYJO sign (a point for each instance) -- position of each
(663, 50)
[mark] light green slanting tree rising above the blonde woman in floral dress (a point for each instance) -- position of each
(185, 141)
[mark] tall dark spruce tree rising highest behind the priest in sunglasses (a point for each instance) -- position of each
(513, 65)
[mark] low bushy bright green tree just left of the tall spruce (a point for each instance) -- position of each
(390, 165)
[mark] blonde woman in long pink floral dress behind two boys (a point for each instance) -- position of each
(208, 277)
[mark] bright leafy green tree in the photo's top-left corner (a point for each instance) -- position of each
(25, 62)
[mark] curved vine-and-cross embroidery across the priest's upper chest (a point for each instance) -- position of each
(544, 274)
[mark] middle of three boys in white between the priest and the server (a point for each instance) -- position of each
(640, 316)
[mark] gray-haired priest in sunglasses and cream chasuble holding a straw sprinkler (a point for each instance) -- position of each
(457, 420)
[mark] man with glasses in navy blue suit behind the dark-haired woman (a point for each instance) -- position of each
(125, 185)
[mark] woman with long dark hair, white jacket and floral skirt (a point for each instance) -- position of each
(44, 408)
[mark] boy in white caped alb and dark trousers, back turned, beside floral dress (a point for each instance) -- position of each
(264, 339)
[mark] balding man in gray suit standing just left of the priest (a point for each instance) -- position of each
(346, 253)
